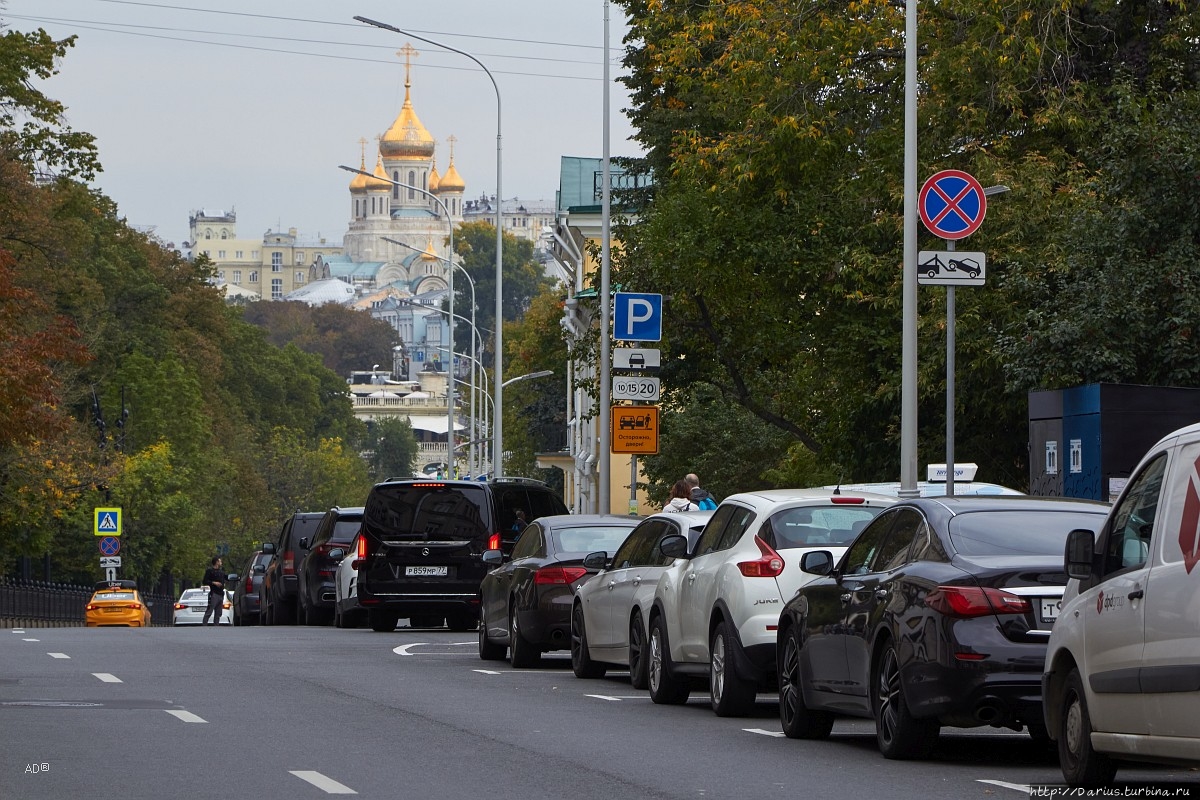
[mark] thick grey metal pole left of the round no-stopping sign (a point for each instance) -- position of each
(909, 350)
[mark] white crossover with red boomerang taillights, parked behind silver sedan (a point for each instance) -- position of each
(716, 616)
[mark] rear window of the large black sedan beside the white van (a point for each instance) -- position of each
(1018, 533)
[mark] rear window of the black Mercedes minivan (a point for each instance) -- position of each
(427, 512)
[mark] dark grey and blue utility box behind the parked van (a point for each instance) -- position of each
(1085, 441)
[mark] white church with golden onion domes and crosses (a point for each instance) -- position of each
(406, 201)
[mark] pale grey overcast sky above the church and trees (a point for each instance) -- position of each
(253, 105)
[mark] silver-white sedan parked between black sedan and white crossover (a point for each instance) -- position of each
(610, 613)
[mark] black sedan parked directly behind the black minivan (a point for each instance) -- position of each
(526, 603)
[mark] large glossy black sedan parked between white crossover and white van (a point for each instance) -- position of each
(939, 615)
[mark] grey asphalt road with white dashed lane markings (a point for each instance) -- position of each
(299, 713)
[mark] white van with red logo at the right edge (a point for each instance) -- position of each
(1123, 676)
